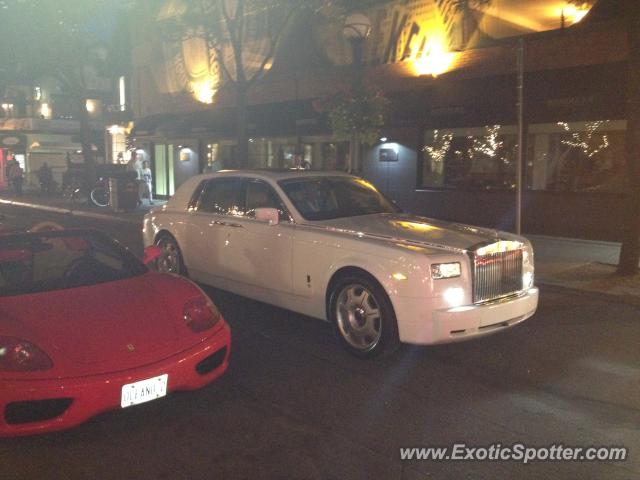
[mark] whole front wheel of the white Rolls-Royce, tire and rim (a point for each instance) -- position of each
(363, 316)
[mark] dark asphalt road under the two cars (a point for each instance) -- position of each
(294, 405)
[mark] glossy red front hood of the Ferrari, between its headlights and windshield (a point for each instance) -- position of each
(106, 327)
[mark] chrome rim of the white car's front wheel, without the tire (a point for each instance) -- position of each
(359, 317)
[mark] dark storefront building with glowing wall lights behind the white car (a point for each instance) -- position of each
(450, 145)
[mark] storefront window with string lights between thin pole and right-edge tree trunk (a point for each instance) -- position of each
(576, 157)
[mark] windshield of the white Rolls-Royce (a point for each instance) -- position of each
(327, 198)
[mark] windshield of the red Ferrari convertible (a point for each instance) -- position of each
(58, 260)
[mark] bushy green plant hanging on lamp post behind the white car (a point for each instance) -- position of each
(356, 113)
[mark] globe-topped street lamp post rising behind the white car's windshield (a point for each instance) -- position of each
(357, 27)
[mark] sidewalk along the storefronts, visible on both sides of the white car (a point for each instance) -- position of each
(583, 265)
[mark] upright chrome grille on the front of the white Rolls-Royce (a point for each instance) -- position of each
(496, 275)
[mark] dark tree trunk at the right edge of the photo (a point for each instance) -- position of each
(630, 252)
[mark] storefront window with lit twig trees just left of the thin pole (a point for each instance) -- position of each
(470, 158)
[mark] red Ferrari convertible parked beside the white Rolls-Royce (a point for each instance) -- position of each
(86, 327)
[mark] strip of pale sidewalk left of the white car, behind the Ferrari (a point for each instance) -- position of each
(56, 204)
